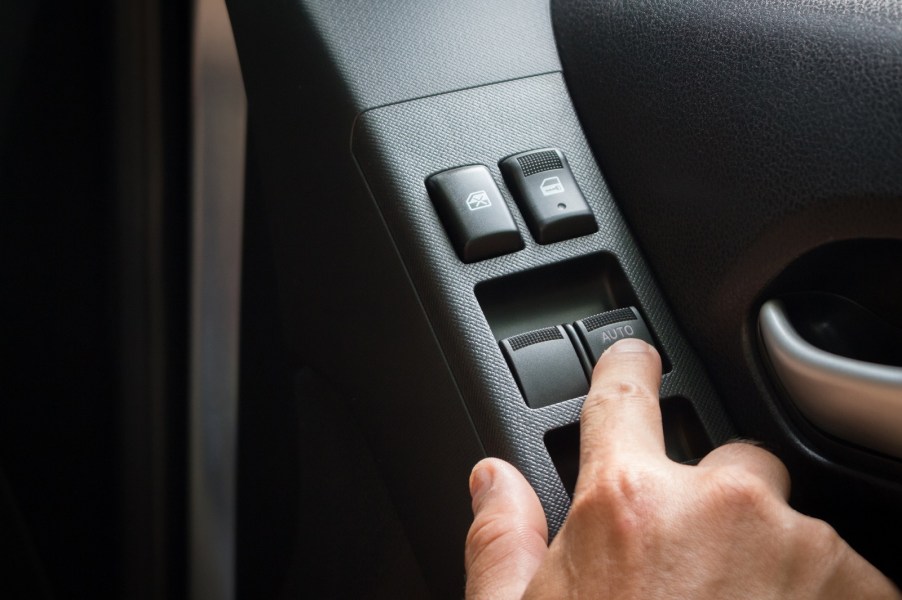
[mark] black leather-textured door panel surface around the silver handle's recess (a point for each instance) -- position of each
(738, 136)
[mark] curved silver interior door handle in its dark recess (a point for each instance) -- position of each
(852, 399)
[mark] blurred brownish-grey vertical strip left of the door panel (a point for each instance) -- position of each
(219, 114)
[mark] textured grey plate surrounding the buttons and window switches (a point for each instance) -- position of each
(398, 146)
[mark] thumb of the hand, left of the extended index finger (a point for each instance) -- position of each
(509, 536)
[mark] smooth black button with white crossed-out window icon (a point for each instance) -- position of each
(474, 213)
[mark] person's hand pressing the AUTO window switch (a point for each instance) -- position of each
(643, 526)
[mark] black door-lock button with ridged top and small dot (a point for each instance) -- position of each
(546, 191)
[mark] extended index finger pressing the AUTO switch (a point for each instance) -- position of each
(621, 416)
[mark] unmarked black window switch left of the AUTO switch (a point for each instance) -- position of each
(546, 366)
